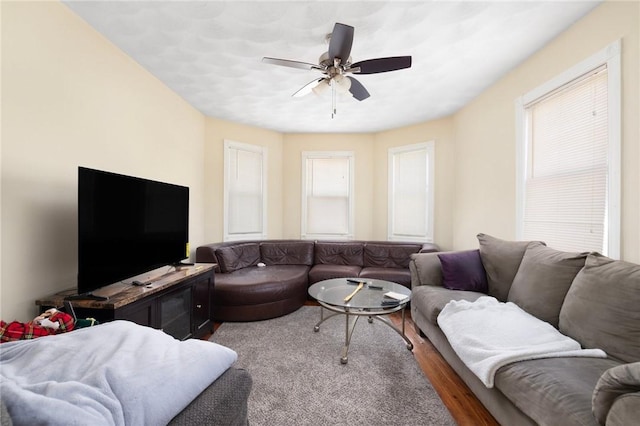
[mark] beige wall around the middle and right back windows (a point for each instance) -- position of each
(371, 174)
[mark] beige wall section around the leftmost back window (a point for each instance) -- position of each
(217, 131)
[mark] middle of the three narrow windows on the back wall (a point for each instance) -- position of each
(327, 195)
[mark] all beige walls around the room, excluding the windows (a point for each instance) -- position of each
(70, 98)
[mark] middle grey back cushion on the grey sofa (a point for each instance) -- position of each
(543, 279)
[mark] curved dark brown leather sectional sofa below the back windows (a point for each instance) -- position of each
(245, 291)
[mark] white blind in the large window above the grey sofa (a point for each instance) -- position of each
(566, 179)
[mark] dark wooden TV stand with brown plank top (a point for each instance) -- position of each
(178, 302)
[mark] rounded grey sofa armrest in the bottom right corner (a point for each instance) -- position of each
(617, 392)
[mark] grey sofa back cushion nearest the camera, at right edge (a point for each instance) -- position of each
(601, 307)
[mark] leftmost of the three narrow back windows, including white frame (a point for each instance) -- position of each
(245, 195)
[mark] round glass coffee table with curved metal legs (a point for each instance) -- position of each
(356, 297)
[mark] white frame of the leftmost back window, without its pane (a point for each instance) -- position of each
(229, 147)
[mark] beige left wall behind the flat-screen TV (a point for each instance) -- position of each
(70, 98)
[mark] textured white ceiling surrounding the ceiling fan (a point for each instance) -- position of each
(210, 53)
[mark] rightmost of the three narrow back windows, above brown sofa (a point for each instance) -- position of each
(411, 192)
